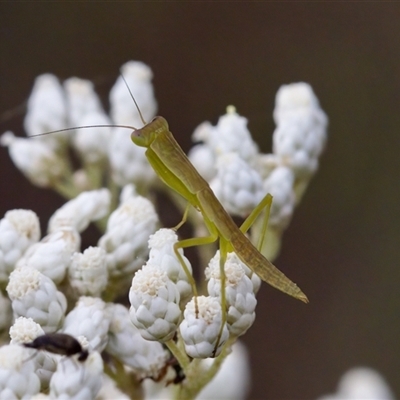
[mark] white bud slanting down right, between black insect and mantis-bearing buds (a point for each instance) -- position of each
(148, 358)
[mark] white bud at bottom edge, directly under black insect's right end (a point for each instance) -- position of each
(77, 380)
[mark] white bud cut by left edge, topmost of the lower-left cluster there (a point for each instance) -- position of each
(19, 229)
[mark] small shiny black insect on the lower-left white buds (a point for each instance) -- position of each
(59, 343)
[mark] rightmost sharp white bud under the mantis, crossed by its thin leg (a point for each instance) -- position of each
(240, 298)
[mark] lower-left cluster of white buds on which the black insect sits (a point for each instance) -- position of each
(43, 276)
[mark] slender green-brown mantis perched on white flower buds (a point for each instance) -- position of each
(175, 170)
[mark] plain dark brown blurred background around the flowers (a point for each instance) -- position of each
(343, 245)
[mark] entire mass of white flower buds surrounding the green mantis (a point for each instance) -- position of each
(52, 286)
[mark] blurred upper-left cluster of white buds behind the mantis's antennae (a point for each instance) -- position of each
(105, 153)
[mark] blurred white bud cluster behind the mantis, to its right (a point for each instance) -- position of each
(241, 176)
